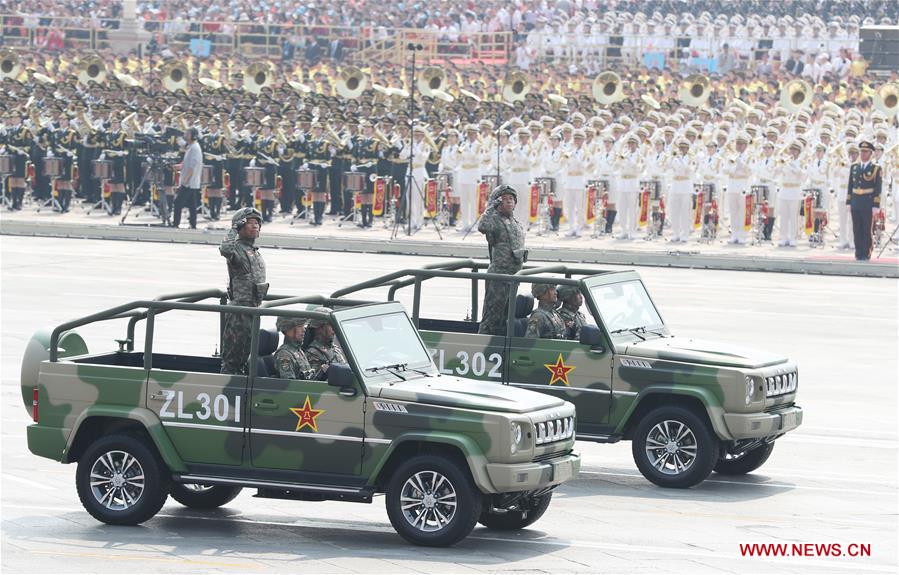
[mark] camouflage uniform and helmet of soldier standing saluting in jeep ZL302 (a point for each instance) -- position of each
(505, 241)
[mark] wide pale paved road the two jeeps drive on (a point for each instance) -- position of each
(832, 481)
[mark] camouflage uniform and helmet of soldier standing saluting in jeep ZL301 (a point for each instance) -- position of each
(246, 287)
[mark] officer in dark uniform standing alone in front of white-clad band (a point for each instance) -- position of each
(863, 199)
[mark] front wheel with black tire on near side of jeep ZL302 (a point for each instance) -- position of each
(697, 448)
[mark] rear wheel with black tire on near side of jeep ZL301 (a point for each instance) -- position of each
(121, 498)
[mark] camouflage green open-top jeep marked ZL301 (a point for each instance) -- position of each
(162, 420)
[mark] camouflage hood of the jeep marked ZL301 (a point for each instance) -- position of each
(469, 394)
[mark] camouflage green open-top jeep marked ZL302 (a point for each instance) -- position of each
(690, 407)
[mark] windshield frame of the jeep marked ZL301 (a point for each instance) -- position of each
(382, 376)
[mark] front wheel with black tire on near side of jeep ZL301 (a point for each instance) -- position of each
(456, 480)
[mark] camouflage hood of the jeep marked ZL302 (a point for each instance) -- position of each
(703, 352)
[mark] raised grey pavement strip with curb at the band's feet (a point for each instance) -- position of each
(333, 236)
